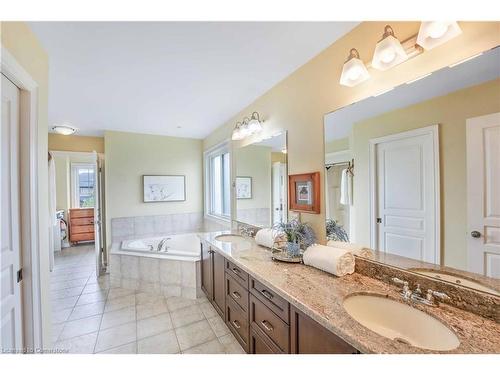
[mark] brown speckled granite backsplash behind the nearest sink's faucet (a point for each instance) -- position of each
(484, 304)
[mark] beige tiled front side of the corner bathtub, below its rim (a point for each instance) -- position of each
(155, 274)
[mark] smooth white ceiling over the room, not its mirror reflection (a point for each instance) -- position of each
(171, 78)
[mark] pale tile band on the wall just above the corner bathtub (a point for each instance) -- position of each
(126, 228)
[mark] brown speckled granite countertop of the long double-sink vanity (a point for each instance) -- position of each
(320, 295)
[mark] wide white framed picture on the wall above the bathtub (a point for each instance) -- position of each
(164, 188)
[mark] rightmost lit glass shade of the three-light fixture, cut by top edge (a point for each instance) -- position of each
(435, 33)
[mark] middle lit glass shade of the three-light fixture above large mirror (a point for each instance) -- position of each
(389, 52)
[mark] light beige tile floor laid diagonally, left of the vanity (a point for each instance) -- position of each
(90, 317)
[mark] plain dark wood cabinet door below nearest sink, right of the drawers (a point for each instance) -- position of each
(309, 337)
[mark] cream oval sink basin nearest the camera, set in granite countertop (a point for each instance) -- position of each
(400, 322)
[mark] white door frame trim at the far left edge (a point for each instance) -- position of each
(30, 249)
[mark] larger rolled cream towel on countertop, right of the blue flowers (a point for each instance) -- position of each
(340, 262)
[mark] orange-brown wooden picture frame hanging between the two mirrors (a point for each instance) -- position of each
(304, 193)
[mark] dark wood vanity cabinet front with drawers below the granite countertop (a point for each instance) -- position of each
(262, 321)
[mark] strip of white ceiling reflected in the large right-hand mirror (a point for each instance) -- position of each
(481, 69)
